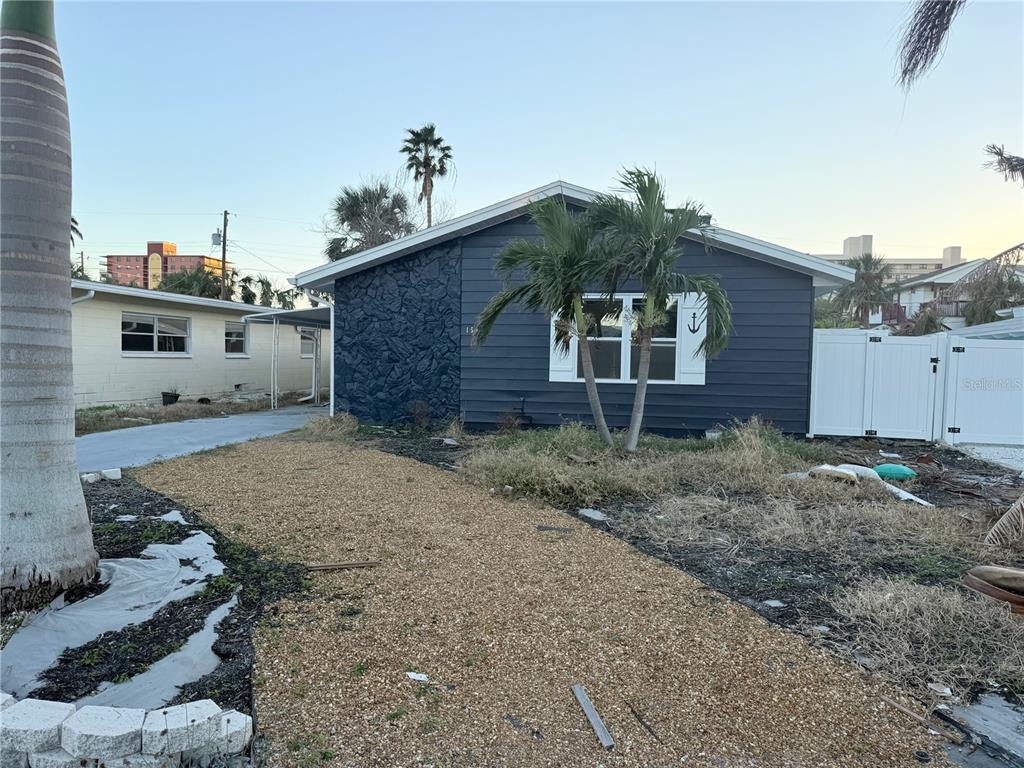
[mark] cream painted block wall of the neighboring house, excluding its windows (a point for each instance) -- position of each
(106, 376)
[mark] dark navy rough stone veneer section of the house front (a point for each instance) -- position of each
(397, 331)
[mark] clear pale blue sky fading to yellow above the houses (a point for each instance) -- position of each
(783, 118)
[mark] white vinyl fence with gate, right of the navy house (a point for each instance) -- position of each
(957, 389)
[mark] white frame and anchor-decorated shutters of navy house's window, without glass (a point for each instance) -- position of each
(690, 367)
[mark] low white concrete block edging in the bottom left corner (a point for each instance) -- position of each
(52, 735)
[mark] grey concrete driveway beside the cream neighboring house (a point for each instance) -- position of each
(138, 446)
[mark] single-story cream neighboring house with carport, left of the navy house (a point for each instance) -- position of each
(132, 345)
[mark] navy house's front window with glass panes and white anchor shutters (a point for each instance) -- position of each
(616, 357)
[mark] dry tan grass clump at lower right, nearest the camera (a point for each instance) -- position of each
(916, 634)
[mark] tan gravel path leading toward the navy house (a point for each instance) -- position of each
(504, 618)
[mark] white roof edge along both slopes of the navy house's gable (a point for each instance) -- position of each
(825, 274)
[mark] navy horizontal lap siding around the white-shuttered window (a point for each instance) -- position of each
(765, 370)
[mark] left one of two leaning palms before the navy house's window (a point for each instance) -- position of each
(552, 277)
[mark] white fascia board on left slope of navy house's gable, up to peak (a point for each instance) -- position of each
(326, 275)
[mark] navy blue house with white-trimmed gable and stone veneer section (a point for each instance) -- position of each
(404, 316)
